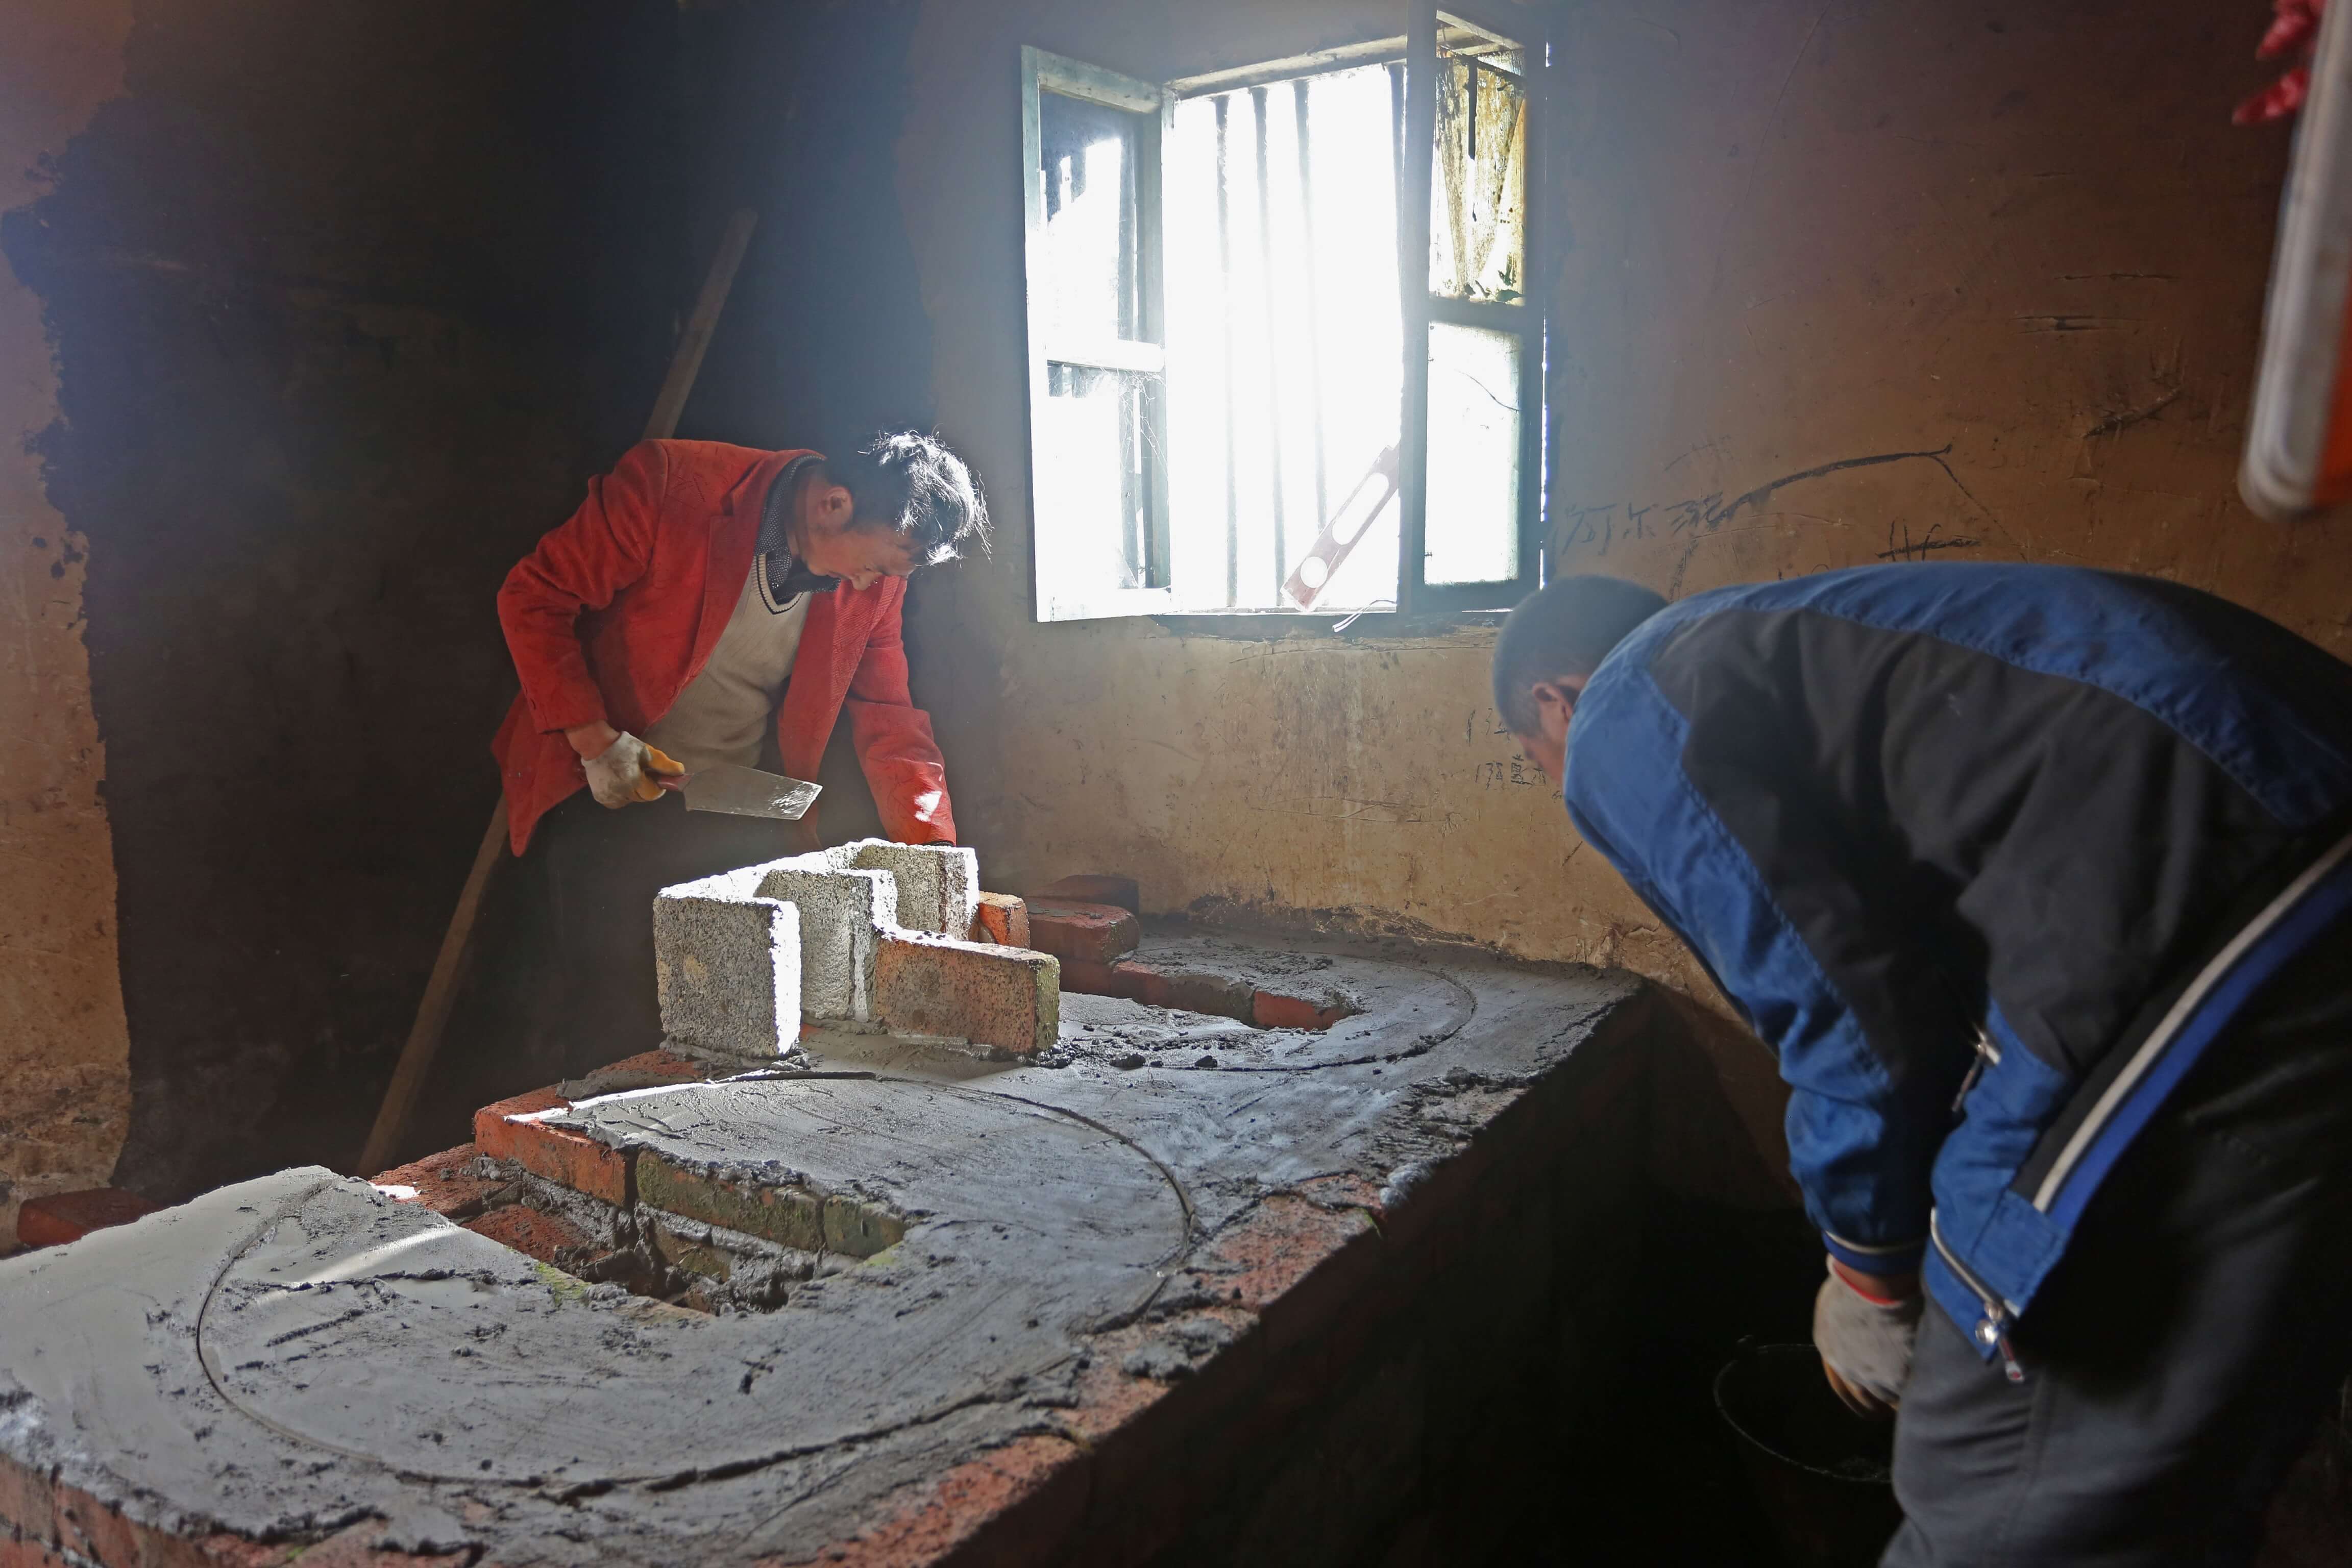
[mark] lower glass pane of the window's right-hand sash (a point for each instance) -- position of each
(1474, 469)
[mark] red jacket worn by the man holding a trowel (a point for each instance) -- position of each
(620, 608)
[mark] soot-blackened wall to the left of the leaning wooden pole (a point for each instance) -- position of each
(349, 302)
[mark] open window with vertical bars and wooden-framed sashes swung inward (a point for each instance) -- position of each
(1276, 361)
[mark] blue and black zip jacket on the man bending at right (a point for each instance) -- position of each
(1989, 855)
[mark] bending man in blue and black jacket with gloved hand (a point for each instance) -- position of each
(2036, 880)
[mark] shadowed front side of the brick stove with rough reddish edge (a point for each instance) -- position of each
(1118, 1477)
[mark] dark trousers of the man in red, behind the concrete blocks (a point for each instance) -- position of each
(601, 873)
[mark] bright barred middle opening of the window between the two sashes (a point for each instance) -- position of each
(1283, 340)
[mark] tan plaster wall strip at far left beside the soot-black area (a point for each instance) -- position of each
(65, 1057)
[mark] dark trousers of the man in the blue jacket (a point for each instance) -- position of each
(2181, 1353)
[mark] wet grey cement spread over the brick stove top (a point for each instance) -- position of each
(302, 1353)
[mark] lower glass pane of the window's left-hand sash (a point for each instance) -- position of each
(1093, 483)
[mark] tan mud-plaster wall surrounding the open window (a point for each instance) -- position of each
(1845, 283)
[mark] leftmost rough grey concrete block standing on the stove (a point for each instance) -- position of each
(728, 967)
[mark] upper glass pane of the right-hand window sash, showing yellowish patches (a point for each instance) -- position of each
(1478, 185)
